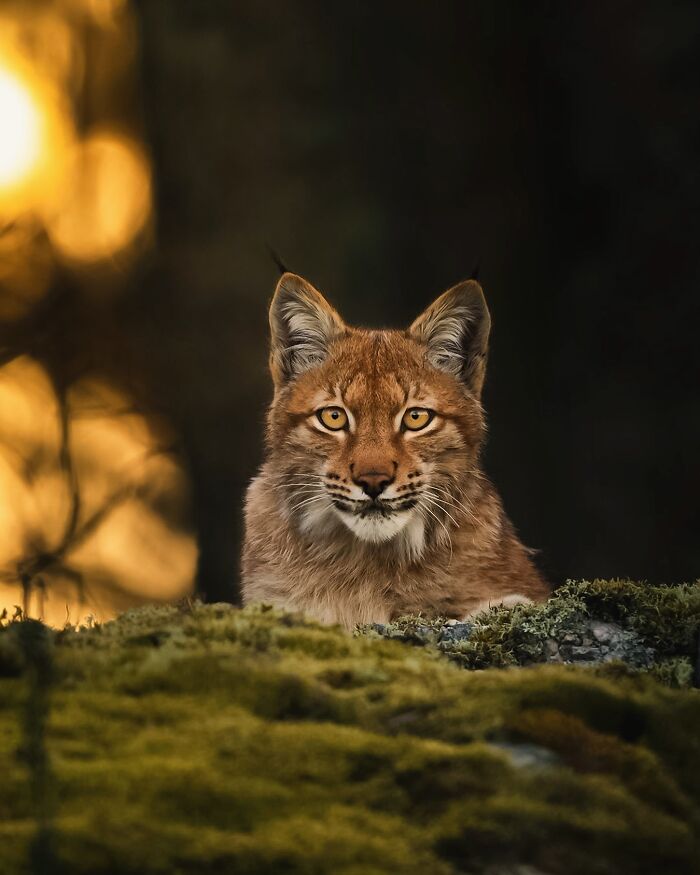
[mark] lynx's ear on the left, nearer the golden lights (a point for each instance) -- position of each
(302, 326)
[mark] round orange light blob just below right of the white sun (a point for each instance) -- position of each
(110, 201)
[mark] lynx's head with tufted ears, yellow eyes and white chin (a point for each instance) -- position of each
(376, 432)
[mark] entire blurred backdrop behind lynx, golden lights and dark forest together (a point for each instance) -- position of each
(149, 154)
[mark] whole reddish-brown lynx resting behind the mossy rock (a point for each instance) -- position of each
(371, 502)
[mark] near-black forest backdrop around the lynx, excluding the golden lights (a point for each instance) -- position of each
(383, 148)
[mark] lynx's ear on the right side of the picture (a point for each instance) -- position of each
(455, 328)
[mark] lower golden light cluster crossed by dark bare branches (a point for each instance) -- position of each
(120, 549)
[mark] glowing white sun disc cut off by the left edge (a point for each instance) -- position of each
(20, 118)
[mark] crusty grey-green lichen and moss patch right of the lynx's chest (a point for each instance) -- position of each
(649, 627)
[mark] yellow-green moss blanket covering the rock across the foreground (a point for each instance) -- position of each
(207, 739)
